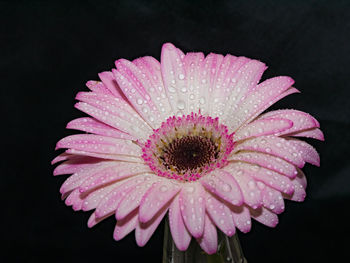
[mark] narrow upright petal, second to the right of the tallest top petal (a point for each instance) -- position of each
(208, 71)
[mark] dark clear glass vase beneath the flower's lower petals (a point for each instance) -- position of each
(229, 250)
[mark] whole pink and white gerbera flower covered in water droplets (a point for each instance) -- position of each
(186, 136)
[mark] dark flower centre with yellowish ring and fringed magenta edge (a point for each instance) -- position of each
(185, 148)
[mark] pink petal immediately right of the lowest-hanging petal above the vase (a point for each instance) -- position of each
(220, 214)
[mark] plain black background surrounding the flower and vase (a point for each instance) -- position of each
(49, 49)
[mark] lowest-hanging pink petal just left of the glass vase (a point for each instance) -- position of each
(144, 231)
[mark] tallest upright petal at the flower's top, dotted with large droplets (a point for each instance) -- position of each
(174, 78)
